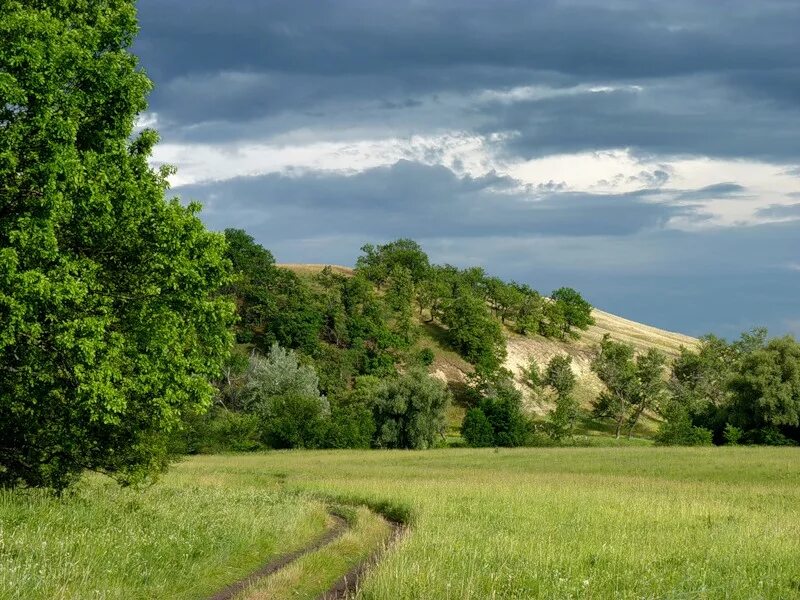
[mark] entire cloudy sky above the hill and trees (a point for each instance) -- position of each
(645, 153)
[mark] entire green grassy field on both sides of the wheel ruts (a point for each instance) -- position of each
(622, 522)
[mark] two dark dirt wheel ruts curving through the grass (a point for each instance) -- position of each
(343, 587)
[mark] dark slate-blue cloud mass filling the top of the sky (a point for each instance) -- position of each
(723, 75)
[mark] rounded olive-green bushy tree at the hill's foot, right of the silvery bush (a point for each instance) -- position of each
(409, 411)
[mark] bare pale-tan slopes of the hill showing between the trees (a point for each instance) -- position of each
(450, 367)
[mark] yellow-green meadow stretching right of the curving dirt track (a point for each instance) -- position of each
(621, 522)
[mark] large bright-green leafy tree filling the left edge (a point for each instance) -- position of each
(111, 324)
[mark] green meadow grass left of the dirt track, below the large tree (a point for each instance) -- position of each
(186, 537)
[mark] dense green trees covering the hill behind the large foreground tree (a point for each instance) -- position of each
(344, 349)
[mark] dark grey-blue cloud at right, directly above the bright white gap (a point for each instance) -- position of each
(673, 117)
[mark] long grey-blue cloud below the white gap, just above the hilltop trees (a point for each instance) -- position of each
(414, 200)
